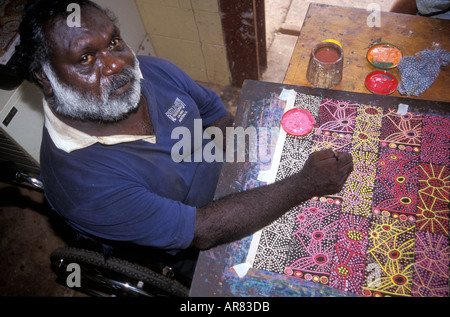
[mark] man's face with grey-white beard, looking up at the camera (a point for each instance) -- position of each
(92, 72)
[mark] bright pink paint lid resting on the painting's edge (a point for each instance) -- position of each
(297, 122)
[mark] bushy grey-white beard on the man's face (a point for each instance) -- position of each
(82, 105)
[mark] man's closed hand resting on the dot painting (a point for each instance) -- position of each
(325, 172)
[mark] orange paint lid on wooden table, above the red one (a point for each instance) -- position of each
(384, 55)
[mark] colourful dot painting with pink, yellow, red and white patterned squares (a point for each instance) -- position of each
(387, 232)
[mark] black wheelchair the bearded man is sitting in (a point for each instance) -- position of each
(109, 269)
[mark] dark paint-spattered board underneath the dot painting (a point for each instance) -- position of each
(215, 275)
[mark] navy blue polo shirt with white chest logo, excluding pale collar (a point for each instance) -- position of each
(134, 191)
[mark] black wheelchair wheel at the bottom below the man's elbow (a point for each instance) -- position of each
(112, 277)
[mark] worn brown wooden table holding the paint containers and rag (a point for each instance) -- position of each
(411, 34)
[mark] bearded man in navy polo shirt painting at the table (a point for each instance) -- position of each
(106, 149)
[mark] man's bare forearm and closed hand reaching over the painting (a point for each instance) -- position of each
(239, 215)
